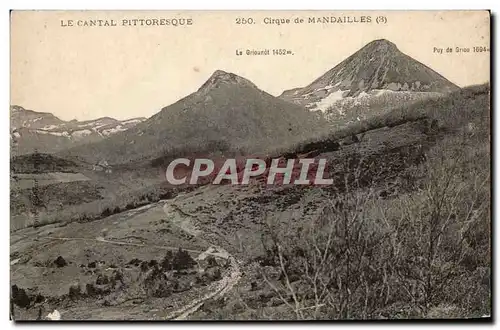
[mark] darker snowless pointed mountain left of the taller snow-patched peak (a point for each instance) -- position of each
(227, 110)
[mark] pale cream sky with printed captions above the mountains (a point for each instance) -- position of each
(124, 71)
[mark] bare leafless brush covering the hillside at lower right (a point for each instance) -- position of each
(422, 254)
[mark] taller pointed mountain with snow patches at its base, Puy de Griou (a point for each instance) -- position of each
(377, 68)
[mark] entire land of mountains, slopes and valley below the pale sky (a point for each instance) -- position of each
(403, 231)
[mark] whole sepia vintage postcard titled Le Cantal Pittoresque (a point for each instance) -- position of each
(250, 165)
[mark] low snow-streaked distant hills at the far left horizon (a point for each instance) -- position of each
(45, 132)
